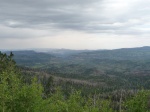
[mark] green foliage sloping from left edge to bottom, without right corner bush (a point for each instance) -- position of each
(18, 96)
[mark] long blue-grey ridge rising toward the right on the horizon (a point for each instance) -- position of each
(141, 53)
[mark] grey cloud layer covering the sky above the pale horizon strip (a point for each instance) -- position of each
(22, 19)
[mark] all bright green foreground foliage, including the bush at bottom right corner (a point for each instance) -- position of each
(18, 96)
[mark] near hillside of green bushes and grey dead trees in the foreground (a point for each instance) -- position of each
(22, 93)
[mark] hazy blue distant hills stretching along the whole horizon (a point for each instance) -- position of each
(31, 57)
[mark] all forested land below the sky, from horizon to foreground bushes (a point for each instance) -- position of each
(81, 81)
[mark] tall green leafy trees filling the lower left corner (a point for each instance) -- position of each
(16, 96)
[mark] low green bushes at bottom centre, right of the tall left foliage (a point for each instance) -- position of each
(75, 103)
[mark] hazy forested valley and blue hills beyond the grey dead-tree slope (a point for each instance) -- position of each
(108, 69)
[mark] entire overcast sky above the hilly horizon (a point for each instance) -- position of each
(74, 24)
